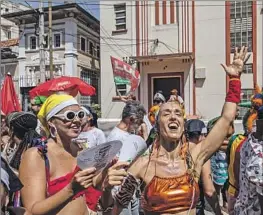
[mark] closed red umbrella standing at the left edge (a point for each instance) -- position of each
(9, 99)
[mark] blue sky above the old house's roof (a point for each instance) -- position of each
(92, 6)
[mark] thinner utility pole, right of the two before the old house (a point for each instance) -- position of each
(50, 39)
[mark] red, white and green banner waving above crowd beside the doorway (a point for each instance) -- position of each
(124, 74)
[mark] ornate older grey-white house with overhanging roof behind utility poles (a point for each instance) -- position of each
(76, 48)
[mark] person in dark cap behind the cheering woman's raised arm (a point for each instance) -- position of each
(196, 132)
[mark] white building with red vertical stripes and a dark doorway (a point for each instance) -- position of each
(180, 44)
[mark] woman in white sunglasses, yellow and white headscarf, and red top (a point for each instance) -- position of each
(52, 182)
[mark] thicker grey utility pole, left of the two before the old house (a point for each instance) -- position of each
(41, 43)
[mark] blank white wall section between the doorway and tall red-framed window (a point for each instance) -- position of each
(210, 52)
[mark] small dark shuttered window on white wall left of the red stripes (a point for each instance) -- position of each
(120, 16)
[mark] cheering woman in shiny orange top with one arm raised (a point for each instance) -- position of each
(171, 172)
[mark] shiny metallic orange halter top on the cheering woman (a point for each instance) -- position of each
(171, 194)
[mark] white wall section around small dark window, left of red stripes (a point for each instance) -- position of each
(116, 48)
